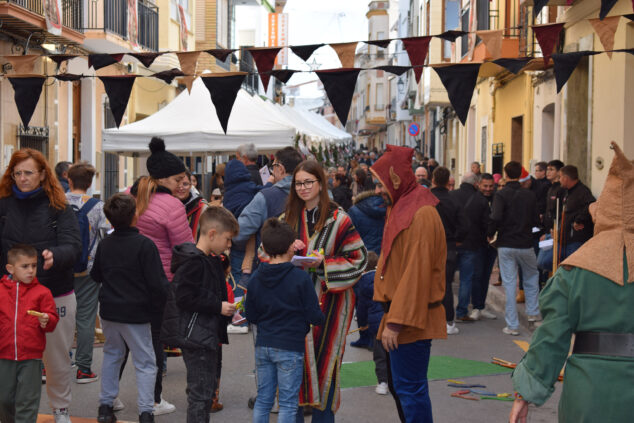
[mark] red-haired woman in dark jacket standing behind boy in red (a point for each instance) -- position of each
(33, 211)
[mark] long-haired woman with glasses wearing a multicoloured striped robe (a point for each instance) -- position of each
(325, 231)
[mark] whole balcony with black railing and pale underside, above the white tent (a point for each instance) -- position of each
(107, 29)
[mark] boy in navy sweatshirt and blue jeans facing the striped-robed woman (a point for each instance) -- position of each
(283, 304)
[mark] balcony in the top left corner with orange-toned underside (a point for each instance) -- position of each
(25, 19)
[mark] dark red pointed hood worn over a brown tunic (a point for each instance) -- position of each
(394, 171)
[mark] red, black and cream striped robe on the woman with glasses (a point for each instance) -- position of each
(345, 259)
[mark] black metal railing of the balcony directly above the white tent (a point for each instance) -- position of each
(112, 16)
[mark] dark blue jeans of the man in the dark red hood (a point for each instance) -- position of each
(409, 363)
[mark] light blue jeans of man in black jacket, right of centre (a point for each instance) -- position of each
(510, 259)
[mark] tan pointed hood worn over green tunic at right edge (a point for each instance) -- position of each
(613, 216)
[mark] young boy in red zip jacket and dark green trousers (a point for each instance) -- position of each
(27, 311)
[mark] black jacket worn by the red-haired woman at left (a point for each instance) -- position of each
(34, 222)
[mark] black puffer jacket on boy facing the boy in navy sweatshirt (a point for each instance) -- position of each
(192, 316)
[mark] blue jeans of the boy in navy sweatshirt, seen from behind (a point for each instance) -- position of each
(281, 369)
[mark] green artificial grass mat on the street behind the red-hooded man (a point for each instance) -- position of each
(361, 373)
